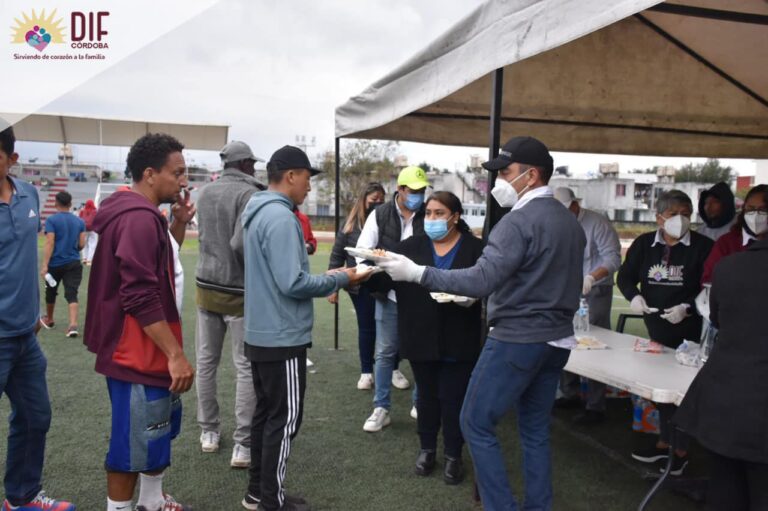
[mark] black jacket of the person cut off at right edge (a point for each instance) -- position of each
(726, 407)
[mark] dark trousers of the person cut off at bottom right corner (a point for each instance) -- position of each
(737, 485)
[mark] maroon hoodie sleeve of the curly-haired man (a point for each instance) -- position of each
(137, 251)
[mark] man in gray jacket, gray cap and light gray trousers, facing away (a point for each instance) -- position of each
(220, 299)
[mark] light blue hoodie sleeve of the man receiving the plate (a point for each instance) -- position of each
(282, 249)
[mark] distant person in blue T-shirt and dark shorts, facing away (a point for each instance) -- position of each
(64, 239)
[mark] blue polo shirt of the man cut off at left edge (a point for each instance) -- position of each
(19, 289)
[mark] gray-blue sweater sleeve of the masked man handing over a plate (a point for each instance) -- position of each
(500, 259)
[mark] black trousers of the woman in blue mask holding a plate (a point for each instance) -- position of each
(442, 386)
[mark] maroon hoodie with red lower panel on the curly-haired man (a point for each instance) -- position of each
(131, 286)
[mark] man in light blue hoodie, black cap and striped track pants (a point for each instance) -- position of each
(278, 321)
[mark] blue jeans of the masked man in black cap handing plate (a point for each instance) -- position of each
(521, 377)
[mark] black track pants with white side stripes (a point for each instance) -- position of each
(279, 389)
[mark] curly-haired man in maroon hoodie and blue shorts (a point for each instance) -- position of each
(133, 326)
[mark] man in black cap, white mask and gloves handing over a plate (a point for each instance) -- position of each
(530, 271)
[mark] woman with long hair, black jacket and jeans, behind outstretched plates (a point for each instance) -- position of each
(372, 196)
